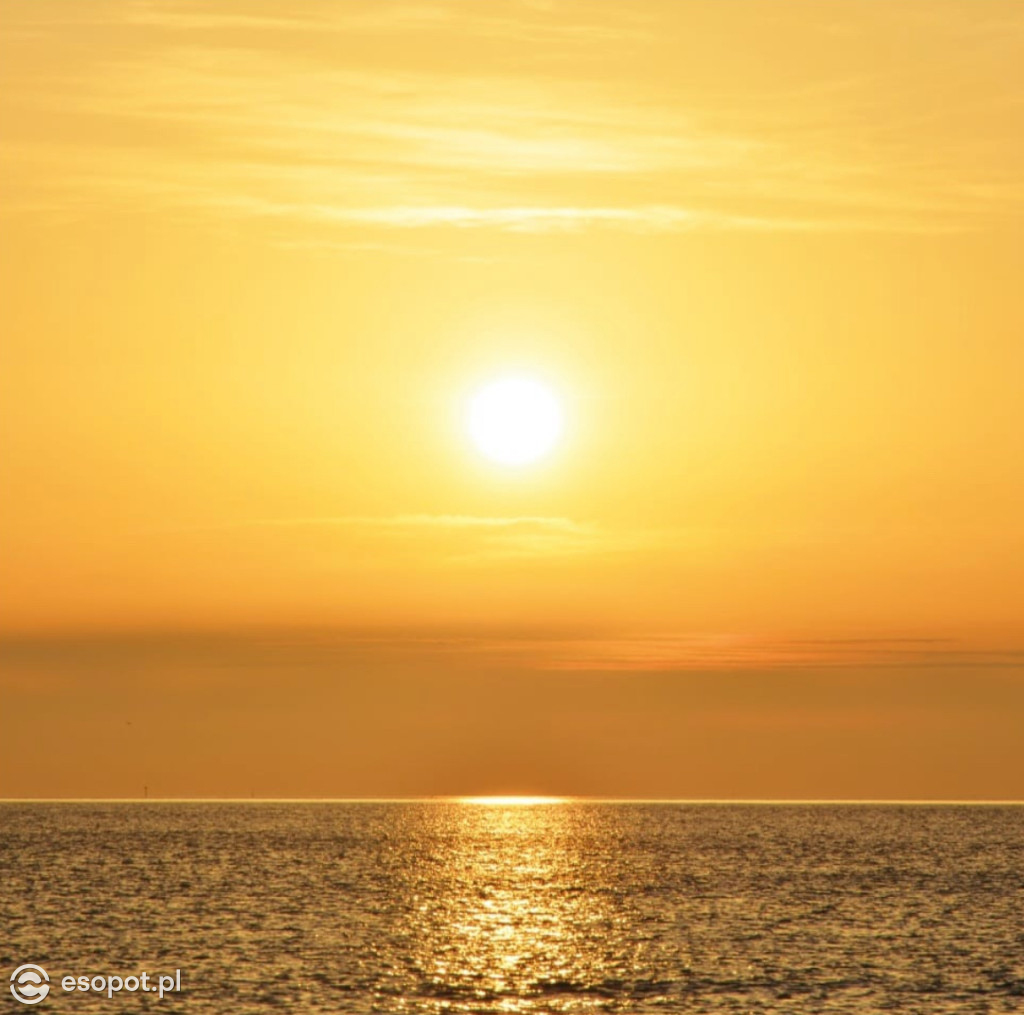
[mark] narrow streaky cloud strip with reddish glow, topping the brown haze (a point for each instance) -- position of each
(557, 650)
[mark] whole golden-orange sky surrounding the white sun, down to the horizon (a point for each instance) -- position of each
(257, 257)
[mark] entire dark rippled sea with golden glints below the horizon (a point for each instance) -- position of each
(433, 908)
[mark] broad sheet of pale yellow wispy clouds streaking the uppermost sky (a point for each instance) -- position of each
(229, 111)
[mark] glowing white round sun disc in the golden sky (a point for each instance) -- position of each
(515, 420)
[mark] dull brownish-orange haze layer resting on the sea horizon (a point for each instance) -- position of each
(337, 714)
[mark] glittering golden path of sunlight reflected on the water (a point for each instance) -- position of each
(515, 926)
